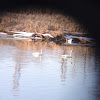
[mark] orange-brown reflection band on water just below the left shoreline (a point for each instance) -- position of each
(29, 45)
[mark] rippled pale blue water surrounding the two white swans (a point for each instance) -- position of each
(48, 77)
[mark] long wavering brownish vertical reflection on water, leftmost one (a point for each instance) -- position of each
(19, 58)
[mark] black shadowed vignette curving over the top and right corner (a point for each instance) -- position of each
(85, 11)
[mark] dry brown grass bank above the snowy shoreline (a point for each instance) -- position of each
(37, 21)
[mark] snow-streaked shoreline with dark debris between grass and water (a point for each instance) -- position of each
(76, 38)
